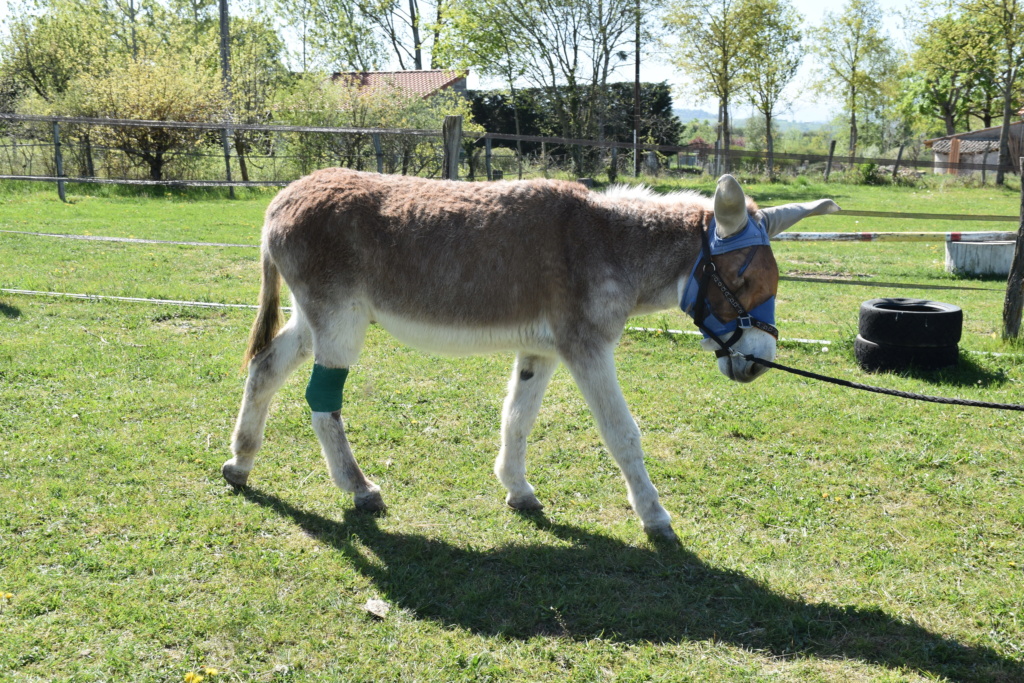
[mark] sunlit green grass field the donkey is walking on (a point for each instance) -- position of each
(827, 535)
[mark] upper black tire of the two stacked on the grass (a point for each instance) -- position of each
(914, 323)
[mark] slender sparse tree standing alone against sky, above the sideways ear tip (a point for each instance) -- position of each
(856, 59)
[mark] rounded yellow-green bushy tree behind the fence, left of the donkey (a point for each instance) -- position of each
(149, 91)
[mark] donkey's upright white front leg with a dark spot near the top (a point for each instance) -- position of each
(531, 375)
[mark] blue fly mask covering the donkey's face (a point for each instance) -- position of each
(695, 301)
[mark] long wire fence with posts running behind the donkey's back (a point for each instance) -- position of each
(223, 154)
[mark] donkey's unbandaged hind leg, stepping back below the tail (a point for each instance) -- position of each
(268, 371)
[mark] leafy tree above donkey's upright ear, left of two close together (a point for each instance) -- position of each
(714, 48)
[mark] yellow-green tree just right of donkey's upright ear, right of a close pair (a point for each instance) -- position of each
(777, 41)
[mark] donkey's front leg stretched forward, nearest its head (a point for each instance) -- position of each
(594, 372)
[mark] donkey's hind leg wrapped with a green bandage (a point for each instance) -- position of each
(338, 339)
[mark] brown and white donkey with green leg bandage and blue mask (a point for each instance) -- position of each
(545, 269)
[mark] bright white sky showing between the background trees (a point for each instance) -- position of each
(804, 107)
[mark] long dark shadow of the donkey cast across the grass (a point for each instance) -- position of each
(590, 586)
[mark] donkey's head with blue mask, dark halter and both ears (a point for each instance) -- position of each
(731, 293)
